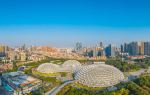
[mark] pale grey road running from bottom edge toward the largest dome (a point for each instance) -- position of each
(55, 90)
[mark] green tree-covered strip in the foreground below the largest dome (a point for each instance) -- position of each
(139, 86)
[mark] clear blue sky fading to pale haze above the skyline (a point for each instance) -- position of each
(61, 23)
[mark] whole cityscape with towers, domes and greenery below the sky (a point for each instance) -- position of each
(93, 70)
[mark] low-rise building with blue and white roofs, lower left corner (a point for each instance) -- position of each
(18, 83)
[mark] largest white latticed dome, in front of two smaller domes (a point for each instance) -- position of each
(99, 75)
